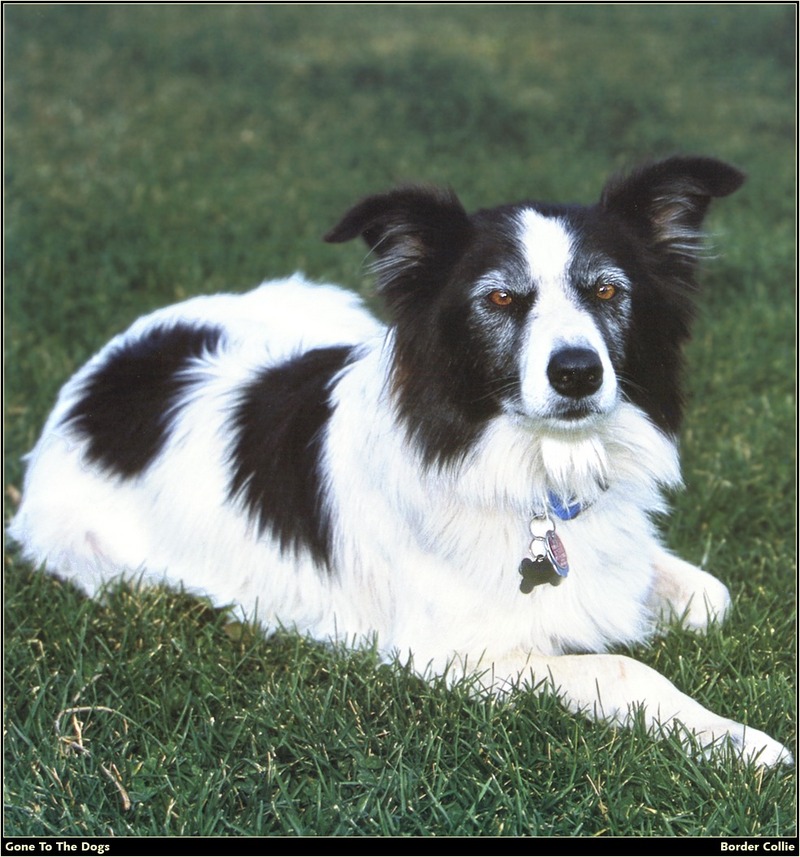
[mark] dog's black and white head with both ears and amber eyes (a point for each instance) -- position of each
(551, 314)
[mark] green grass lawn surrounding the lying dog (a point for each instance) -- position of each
(157, 152)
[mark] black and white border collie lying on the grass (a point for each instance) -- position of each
(472, 485)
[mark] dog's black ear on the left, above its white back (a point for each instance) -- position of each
(407, 228)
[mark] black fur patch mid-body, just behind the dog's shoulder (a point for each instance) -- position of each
(278, 430)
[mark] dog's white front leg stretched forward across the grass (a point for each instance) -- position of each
(615, 688)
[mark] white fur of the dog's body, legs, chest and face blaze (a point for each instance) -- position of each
(424, 558)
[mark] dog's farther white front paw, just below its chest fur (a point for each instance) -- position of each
(684, 593)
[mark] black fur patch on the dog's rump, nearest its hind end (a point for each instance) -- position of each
(129, 403)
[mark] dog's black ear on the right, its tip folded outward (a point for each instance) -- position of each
(666, 201)
